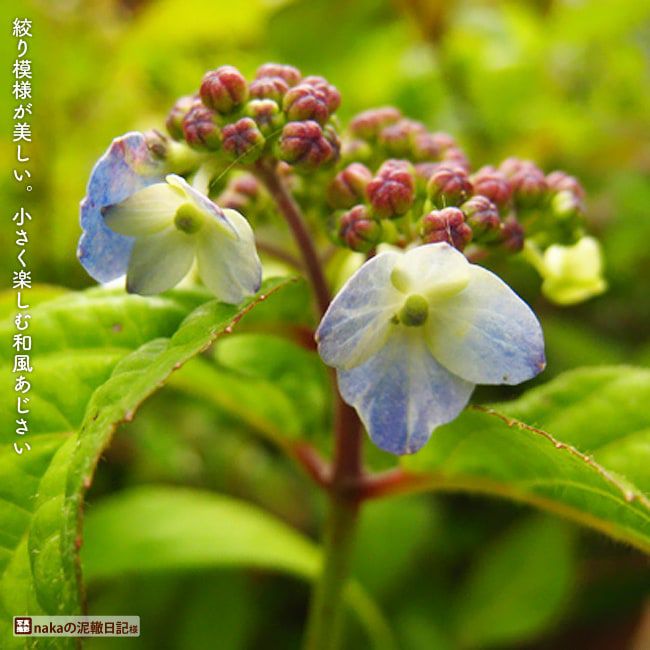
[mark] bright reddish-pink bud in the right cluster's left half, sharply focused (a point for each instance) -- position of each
(392, 192)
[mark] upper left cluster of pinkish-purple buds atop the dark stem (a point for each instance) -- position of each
(278, 113)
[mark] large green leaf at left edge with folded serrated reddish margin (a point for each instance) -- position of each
(96, 355)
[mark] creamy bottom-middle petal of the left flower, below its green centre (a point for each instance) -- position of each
(159, 262)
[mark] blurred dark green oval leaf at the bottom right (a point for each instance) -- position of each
(519, 585)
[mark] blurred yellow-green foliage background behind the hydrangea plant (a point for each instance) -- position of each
(564, 82)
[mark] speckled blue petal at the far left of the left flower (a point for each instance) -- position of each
(127, 166)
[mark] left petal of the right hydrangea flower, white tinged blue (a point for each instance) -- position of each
(359, 319)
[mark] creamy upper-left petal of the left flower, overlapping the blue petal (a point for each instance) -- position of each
(145, 212)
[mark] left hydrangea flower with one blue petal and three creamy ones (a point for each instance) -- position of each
(153, 228)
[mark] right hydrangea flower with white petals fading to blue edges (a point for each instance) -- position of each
(411, 334)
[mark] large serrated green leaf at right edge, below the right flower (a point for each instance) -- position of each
(577, 446)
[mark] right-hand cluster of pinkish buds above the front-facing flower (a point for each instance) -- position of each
(394, 170)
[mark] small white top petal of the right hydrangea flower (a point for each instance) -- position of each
(432, 270)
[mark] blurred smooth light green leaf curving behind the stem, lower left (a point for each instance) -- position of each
(153, 529)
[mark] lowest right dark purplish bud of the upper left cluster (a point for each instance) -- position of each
(304, 144)
